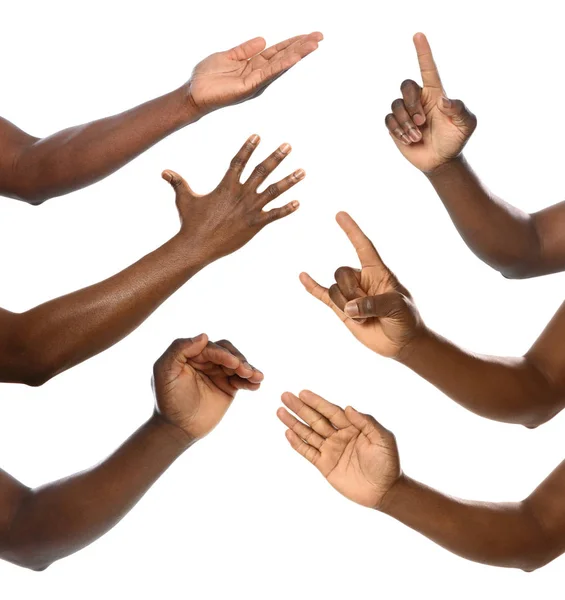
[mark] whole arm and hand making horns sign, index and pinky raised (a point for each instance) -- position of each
(381, 314)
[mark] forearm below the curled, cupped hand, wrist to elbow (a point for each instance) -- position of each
(60, 518)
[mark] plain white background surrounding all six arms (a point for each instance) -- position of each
(242, 515)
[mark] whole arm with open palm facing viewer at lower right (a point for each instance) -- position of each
(359, 458)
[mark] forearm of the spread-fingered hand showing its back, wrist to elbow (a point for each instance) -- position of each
(61, 333)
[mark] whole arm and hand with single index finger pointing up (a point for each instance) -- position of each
(431, 130)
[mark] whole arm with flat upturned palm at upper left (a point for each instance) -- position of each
(34, 169)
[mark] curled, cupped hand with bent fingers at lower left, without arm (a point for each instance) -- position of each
(196, 380)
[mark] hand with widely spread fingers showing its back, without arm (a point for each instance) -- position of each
(224, 220)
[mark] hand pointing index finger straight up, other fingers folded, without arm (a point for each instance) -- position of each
(427, 127)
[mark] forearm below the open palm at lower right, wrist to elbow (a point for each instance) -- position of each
(499, 534)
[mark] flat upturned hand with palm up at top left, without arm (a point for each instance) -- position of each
(244, 72)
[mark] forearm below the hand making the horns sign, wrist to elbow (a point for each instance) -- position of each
(512, 390)
